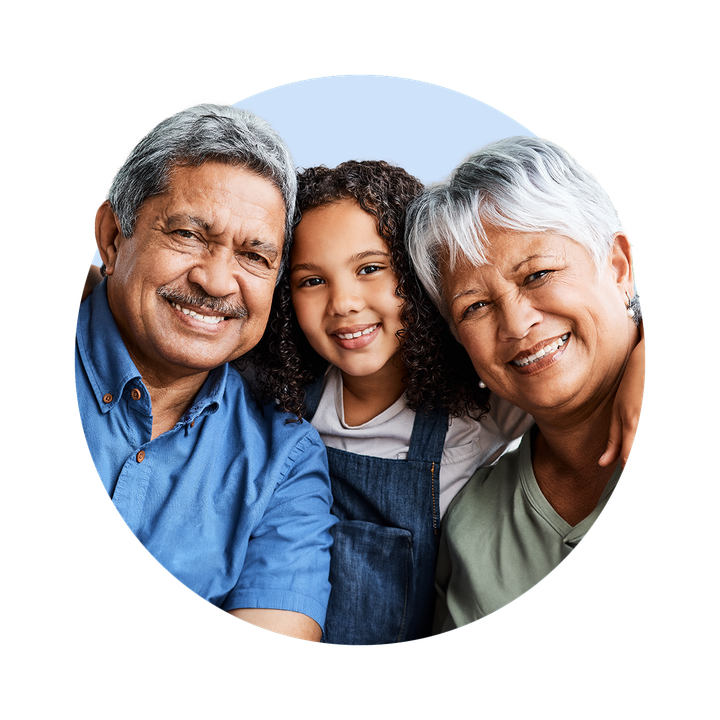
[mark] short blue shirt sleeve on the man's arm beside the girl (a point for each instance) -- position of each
(287, 564)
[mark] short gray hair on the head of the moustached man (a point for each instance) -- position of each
(193, 135)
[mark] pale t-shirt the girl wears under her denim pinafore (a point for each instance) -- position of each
(469, 444)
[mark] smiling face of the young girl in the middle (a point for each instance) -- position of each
(343, 289)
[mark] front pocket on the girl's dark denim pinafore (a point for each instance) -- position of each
(370, 574)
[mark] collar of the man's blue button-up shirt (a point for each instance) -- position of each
(110, 368)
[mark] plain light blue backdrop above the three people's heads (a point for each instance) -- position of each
(424, 127)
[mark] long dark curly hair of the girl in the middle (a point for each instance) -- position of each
(439, 372)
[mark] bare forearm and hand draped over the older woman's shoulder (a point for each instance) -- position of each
(628, 406)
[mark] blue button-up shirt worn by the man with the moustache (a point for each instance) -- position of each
(233, 501)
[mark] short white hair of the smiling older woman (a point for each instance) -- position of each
(519, 184)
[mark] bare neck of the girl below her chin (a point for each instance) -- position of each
(366, 397)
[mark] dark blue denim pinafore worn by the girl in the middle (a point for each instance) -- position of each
(382, 570)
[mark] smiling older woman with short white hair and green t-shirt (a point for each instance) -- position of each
(525, 255)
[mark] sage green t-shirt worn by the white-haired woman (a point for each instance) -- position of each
(501, 537)
